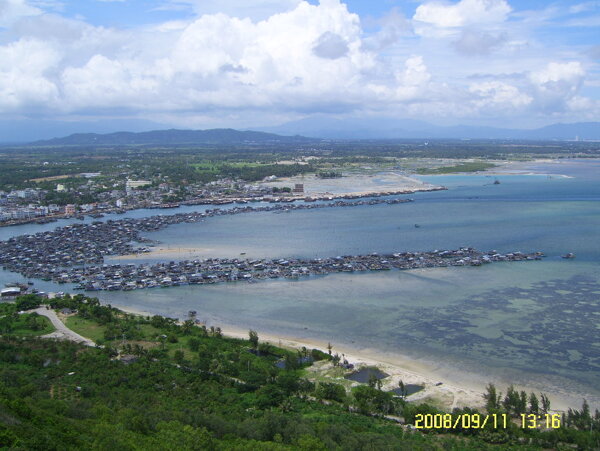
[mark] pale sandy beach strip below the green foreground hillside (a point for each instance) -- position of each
(458, 388)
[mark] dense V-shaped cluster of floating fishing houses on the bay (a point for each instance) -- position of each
(75, 254)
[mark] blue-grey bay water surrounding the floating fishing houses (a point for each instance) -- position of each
(535, 323)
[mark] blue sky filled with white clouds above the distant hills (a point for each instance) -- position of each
(133, 64)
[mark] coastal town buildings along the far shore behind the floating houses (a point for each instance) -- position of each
(29, 204)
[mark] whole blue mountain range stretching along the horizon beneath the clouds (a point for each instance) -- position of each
(317, 128)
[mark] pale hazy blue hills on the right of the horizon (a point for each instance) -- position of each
(390, 128)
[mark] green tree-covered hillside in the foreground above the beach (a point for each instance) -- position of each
(160, 385)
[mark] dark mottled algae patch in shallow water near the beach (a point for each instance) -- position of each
(551, 326)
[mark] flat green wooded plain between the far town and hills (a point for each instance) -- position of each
(181, 165)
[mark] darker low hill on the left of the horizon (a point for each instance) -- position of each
(171, 137)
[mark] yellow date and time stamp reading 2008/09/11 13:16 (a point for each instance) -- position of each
(478, 421)
